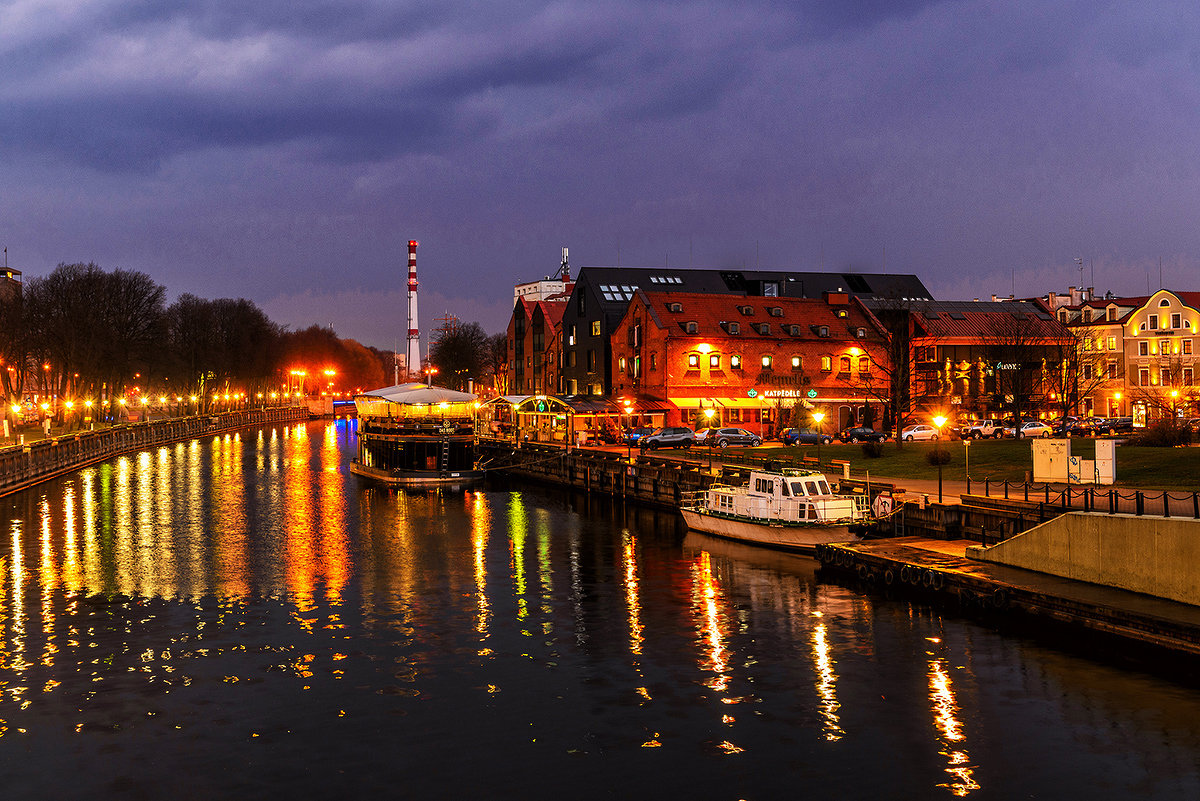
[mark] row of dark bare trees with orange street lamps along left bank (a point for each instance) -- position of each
(83, 333)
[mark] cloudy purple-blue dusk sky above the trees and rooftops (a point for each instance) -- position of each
(287, 152)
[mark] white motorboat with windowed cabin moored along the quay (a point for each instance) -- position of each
(795, 510)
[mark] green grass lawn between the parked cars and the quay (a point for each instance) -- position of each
(1154, 468)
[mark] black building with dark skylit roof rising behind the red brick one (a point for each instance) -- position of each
(602, 296)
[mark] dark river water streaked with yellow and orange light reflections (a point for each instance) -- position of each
(242, 618)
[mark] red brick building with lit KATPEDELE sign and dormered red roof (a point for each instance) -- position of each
(751, 359)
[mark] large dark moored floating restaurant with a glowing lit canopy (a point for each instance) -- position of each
(417, 436)
